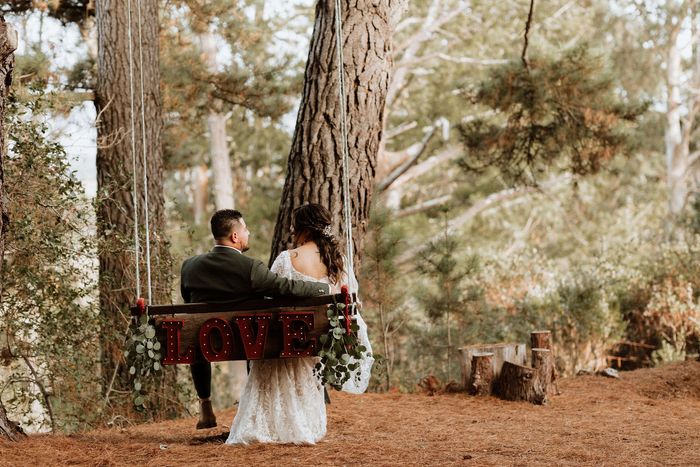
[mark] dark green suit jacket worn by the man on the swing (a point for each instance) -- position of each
(226, 275)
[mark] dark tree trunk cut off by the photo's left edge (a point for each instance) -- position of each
(8, 43)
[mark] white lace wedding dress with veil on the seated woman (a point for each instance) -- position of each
(283, 401)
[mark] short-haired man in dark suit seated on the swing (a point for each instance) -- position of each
(226, 275)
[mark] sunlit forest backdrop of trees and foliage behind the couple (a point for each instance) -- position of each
(594, 241)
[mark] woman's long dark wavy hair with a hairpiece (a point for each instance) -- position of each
(313, 222)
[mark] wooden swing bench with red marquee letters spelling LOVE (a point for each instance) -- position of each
(256, 329)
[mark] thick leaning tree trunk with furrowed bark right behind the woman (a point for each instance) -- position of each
(314, 172)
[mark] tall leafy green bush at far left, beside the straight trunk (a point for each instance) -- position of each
(48, 318)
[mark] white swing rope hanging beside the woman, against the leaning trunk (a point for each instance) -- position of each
(347, 216)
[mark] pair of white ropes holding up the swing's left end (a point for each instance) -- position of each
(133, 157)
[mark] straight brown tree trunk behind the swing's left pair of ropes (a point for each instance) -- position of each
(116, 212)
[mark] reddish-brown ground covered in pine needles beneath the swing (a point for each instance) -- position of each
(648, 417)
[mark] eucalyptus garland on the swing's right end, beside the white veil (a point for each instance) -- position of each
(340, 352)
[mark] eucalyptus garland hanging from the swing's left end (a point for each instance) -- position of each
(143, 355)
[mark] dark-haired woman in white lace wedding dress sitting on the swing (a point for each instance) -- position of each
(283, 401)
